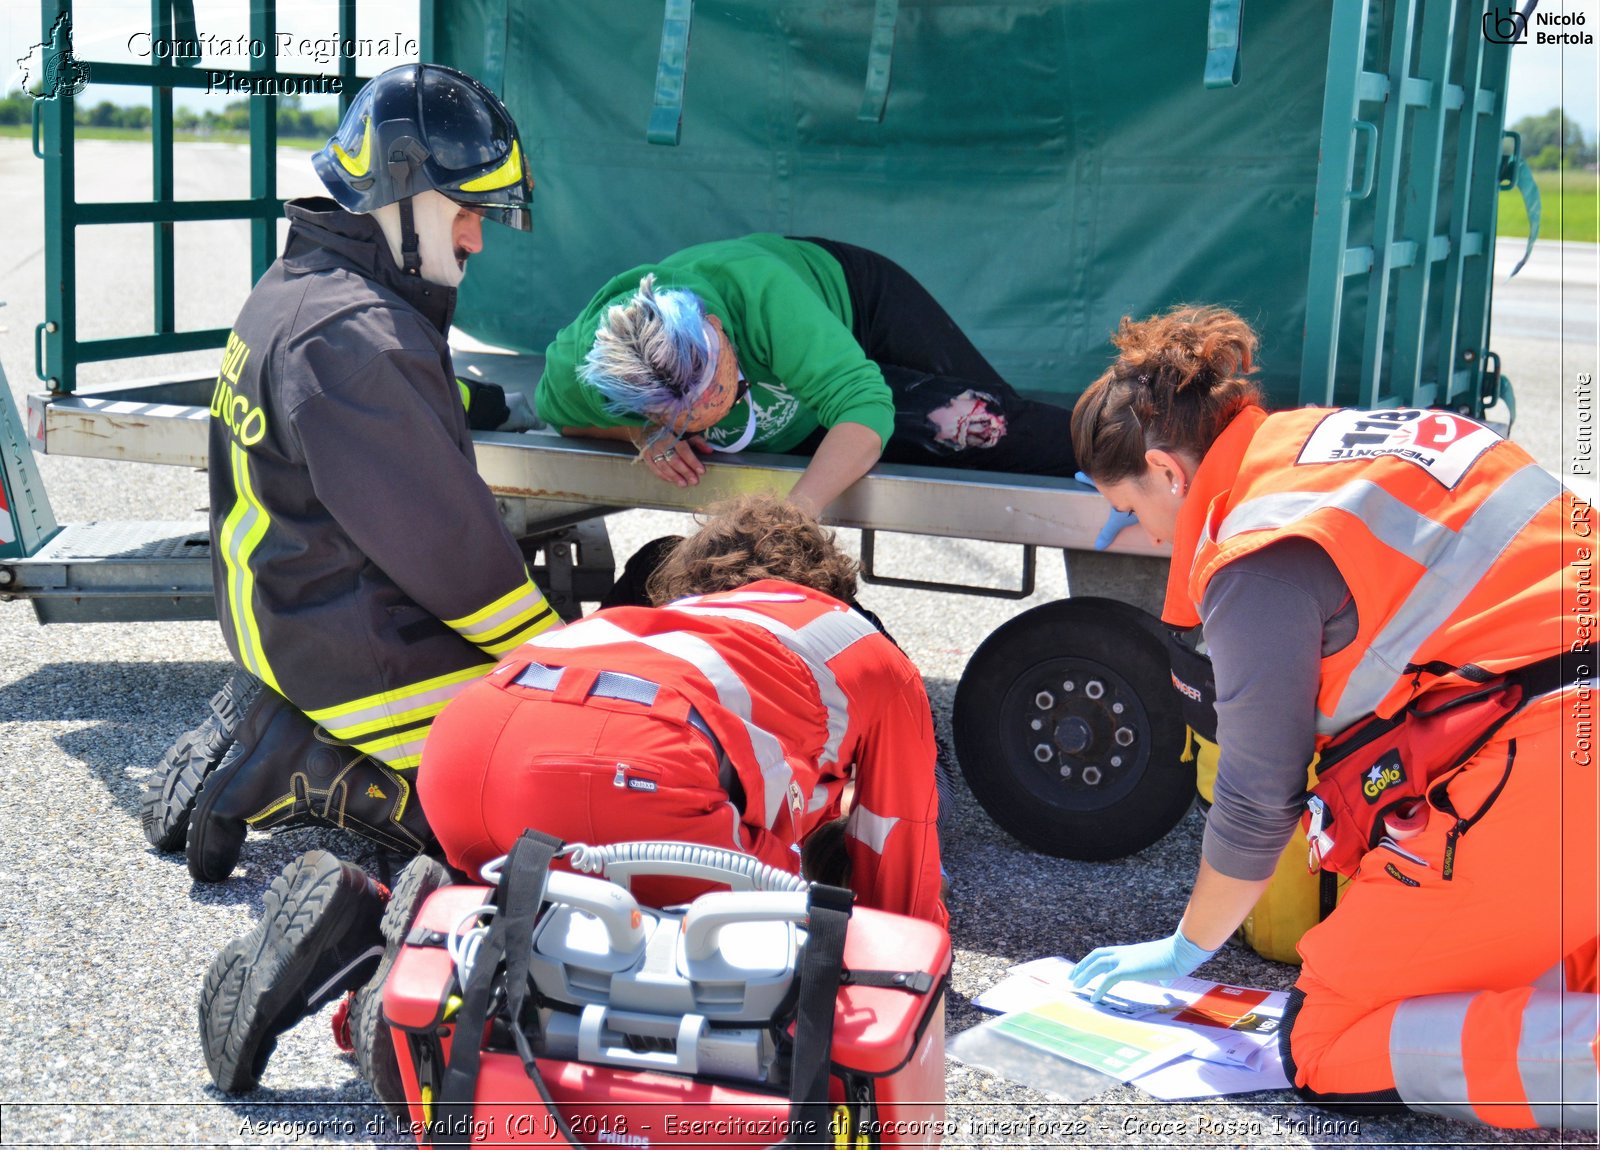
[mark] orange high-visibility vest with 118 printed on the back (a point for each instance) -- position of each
(1460, 551)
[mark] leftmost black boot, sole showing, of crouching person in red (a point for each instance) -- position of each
(319, 936)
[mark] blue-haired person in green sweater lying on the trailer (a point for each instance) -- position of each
(806, 346)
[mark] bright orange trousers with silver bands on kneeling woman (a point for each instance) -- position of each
(1463, 983)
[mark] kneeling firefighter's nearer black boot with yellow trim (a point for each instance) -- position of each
(284, 772)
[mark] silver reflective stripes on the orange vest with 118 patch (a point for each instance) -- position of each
(1454, 562)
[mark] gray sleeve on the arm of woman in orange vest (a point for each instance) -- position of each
(1270, 621)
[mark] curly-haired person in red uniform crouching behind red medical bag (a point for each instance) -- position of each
(734, 716)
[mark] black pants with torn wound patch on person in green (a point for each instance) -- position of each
(951, 407)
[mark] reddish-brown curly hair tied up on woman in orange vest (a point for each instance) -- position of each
(1175, 386)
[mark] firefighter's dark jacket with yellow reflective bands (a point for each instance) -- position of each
(361, 565)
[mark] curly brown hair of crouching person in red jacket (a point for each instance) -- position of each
(754, 538)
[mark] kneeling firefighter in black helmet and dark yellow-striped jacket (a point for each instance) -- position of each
(362, 572)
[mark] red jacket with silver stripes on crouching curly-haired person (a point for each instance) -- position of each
(804, 695)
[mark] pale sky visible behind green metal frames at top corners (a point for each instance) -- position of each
(1543, 76)
